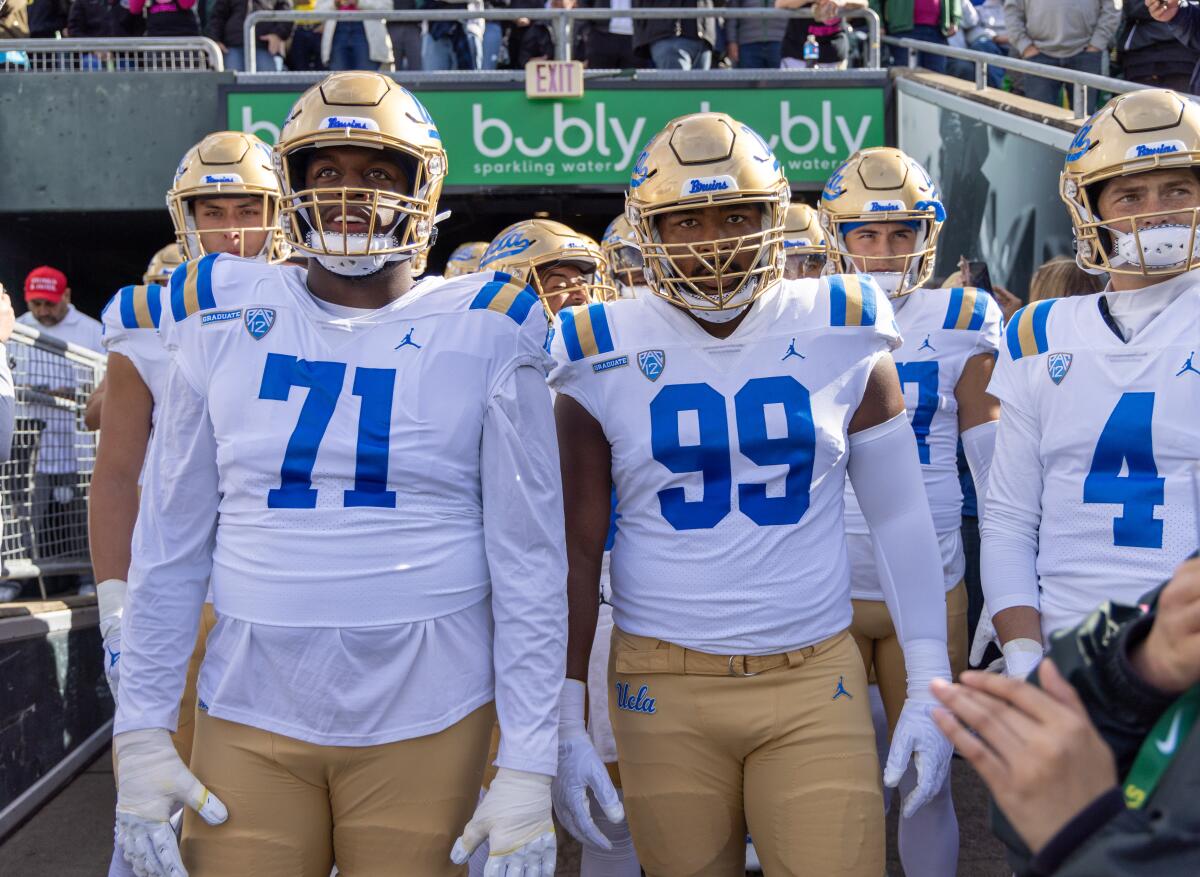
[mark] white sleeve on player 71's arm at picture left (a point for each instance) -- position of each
(172, 560)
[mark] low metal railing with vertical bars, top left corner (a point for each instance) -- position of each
(111, 55)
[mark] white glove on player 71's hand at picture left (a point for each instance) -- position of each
(151, 782)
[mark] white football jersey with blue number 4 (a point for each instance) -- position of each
(1118, 438)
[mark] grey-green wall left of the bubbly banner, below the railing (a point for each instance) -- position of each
(99, 142)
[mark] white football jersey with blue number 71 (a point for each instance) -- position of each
(376, 438)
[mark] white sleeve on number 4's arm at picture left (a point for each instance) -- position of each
(1009, 533)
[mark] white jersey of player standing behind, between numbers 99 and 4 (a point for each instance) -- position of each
(943, 329)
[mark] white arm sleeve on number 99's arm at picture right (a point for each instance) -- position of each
(885, 472)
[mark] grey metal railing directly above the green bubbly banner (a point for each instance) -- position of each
(562, 22)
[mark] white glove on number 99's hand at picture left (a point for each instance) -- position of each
(580, 770)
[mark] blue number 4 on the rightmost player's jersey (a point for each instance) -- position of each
(1124, 472)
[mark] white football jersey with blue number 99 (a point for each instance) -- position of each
(729, 459)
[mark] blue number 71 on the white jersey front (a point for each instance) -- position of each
(325, 383)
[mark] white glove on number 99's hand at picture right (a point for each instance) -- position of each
(917, 738)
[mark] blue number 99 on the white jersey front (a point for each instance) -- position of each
(712, 455)
